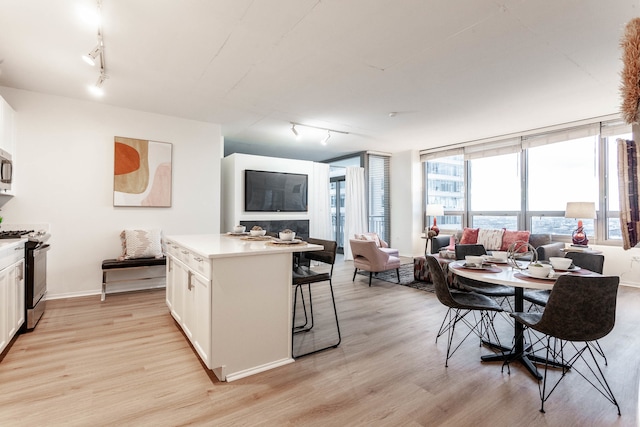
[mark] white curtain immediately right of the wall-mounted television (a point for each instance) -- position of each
(320, 217)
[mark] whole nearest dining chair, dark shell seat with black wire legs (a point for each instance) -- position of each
(580, 310)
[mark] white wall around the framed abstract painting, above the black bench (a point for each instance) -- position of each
(64, 177)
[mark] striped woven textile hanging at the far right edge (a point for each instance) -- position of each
(628, 159)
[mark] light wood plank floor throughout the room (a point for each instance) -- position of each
(125, 362)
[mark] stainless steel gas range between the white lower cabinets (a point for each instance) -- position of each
(35, 272)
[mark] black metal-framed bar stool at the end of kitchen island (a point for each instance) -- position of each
(305, 276)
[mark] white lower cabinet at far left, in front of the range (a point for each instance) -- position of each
(12, 304)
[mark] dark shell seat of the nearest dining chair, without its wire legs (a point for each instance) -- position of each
(580, 308)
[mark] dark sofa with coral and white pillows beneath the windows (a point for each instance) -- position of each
(492, 239)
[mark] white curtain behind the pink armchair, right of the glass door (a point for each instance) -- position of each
(354, 207)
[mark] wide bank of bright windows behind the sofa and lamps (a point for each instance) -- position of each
(525, 182)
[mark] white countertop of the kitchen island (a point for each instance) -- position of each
(224, 245)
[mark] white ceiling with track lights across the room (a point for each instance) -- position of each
(452, 70)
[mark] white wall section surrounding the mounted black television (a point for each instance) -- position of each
(233, 167)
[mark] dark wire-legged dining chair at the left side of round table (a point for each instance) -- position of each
(474, 310)
